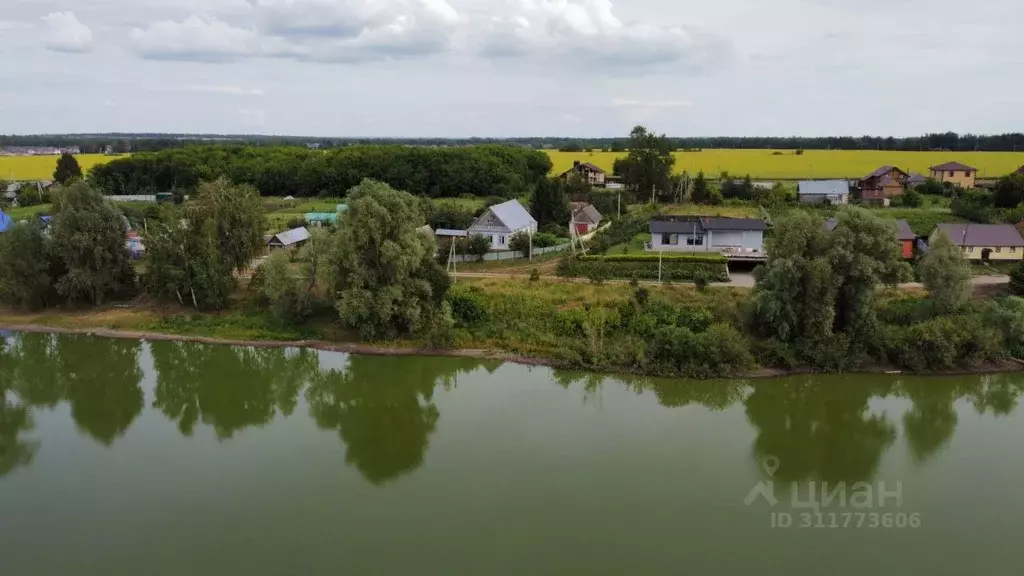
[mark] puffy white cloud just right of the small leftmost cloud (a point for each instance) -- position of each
(197, 38)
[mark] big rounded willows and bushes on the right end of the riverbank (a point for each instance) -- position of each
(818, 297)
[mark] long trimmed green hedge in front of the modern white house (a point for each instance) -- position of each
(675, 270)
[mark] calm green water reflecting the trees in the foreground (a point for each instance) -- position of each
(126, 458)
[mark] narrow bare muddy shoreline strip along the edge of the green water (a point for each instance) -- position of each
(1009, 367)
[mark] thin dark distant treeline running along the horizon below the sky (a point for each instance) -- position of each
(127, 143)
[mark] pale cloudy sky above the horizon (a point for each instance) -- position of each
(513, 68)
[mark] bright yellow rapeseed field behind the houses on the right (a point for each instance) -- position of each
(813, 164)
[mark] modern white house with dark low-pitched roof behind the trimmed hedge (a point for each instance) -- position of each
(733, 237)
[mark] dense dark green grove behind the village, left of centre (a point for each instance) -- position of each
(482, 171)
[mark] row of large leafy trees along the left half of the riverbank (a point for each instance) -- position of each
(377, 271)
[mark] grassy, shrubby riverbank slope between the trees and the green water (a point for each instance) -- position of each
(659, 331)
